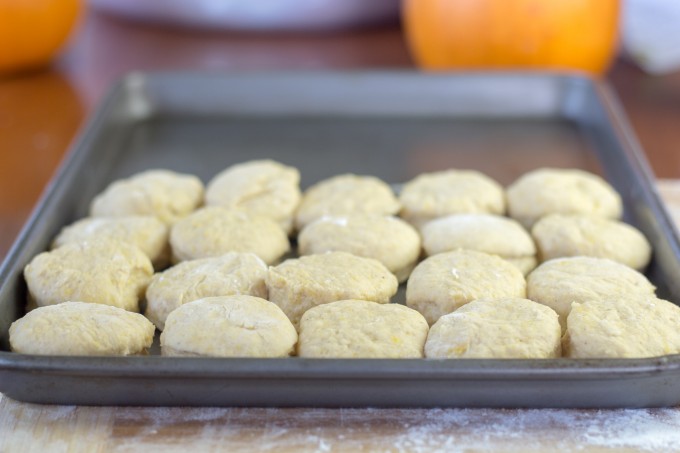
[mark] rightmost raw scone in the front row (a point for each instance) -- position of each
(623, 327)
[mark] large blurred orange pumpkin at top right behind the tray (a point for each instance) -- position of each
(495, 34)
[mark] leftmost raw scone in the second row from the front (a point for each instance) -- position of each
(100, 271)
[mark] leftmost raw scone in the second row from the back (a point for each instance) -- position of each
(146, 232)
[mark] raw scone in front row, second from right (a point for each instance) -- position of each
(508, 328)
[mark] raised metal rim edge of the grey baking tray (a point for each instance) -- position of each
(297, 368)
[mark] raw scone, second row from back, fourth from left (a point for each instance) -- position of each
(487, 233)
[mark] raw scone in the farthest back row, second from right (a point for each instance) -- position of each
(433, 195)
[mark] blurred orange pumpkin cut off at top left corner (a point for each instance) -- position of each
(32, 31)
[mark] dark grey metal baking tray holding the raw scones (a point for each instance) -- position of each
(394, 126)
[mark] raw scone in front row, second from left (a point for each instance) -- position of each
(231, 326)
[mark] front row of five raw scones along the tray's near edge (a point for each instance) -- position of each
(247, 326)
